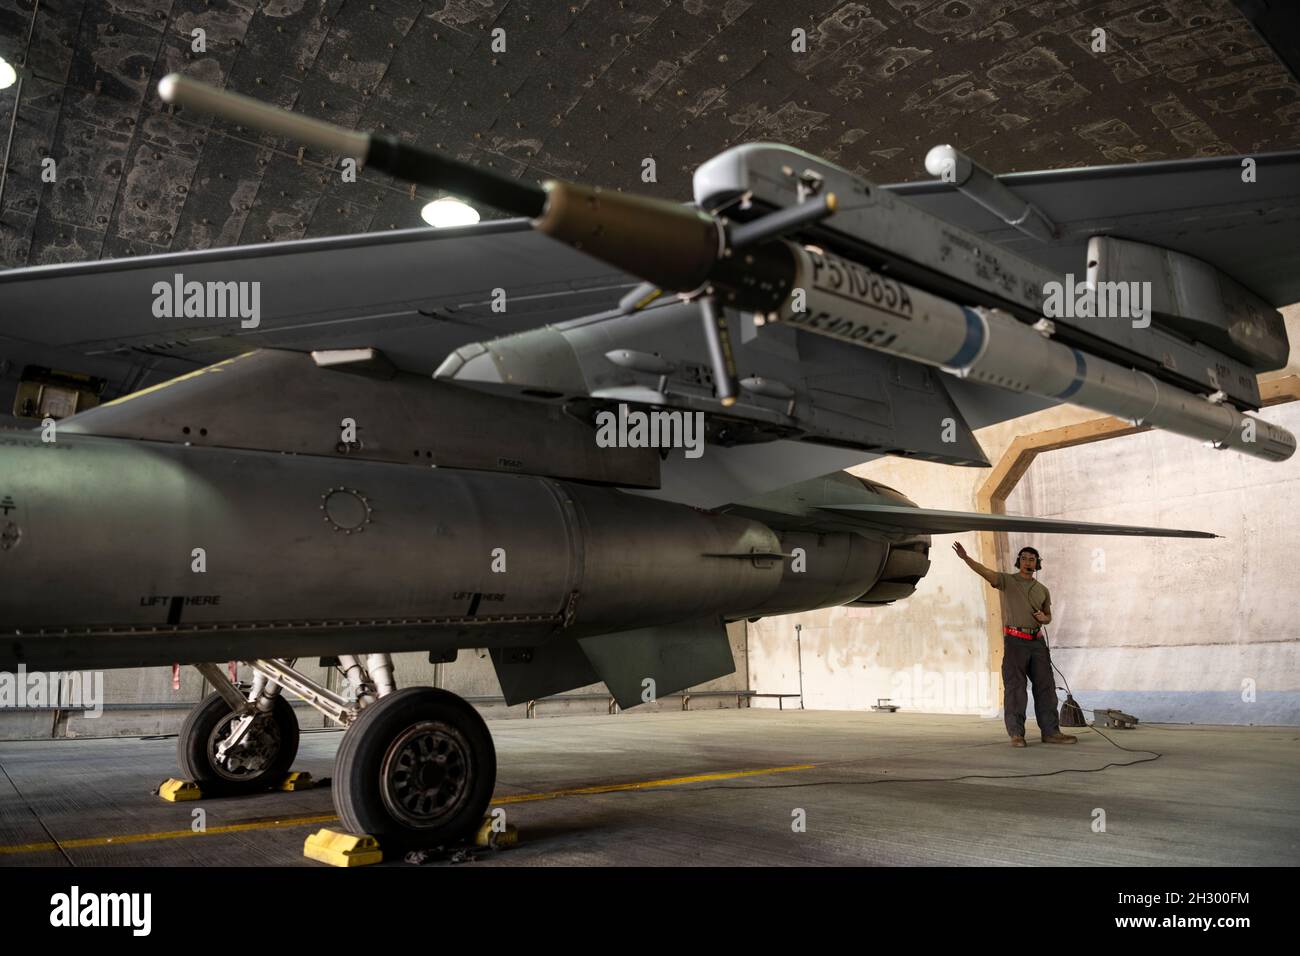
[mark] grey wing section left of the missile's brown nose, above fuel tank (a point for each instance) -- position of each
(415, 295)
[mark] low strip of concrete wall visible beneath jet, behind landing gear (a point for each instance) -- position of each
(142, 702)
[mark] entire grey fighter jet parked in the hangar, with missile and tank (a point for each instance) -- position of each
(586, 439)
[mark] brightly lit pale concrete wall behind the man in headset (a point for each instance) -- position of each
(1167, 629)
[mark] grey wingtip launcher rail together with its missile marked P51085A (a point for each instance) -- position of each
(967, 314)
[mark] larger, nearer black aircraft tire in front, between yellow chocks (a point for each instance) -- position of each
(415, 771)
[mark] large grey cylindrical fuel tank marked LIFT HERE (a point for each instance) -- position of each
(167, 552)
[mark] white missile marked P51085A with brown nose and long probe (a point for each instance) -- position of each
(749, 267)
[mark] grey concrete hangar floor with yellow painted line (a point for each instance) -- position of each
(1217, 797)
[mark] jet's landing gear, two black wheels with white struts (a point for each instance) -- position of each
(415, 769)
